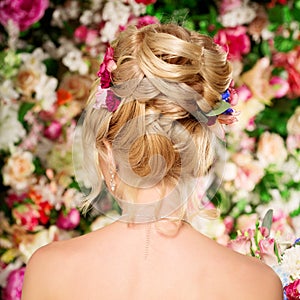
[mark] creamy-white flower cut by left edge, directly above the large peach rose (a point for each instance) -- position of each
(11, 130)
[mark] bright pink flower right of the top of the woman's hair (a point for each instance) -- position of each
(235, 40)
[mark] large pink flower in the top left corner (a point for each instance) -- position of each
(22, 12)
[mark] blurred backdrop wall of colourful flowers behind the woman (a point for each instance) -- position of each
(50, 52)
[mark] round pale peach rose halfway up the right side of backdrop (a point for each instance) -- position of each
(271, 149)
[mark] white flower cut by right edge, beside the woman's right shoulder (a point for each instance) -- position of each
(291, 261)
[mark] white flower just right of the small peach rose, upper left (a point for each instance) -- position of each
(45, 91)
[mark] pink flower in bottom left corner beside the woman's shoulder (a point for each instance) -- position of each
(13, 289)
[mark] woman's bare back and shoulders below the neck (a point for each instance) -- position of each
(122, 261)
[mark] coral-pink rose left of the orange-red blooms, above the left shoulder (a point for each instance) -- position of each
(26, 215)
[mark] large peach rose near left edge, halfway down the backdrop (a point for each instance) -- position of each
(18, 170)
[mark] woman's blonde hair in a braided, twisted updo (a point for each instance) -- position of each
(163, 72)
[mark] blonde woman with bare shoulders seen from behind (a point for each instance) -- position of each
(147, 133)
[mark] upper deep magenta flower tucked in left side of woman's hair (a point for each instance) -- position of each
(106, 67)
